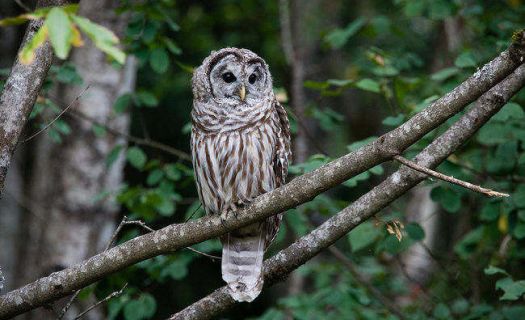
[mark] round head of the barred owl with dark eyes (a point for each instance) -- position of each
(233, 77)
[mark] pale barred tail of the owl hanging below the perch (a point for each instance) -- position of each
(242, 259)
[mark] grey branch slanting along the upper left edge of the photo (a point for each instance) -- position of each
(20, 92)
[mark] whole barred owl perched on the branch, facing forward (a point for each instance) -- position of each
(240, 143)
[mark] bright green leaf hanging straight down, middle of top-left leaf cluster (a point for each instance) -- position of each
(60, 31)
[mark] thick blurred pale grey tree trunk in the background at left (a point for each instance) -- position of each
(69, 176)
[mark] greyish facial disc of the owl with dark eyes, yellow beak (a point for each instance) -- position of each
(236, 79)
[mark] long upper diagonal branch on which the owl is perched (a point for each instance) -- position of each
(298, 191)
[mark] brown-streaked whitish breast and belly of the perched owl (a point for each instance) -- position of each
(233, 167)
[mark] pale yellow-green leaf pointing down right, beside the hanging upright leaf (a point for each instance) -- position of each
(103, 38)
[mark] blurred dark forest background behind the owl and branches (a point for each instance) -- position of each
(347, 71)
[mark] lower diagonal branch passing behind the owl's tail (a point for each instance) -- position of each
(287, 260)
